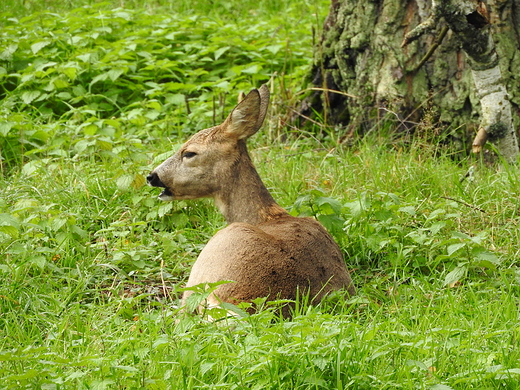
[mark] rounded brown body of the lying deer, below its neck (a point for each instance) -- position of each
(275, 259)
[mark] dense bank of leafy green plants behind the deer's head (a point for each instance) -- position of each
(100, 71)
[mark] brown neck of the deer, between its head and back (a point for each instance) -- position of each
(247, 199)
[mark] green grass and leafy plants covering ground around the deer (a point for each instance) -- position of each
(92, 264)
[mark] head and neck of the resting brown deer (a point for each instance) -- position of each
(215, 163)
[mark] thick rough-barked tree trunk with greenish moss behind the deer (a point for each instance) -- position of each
(436, 73)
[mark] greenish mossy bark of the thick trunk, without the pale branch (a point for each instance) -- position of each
(360, 53)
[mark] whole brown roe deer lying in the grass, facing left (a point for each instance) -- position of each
(265, 251)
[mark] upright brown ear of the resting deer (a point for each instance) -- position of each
(247, 117)
